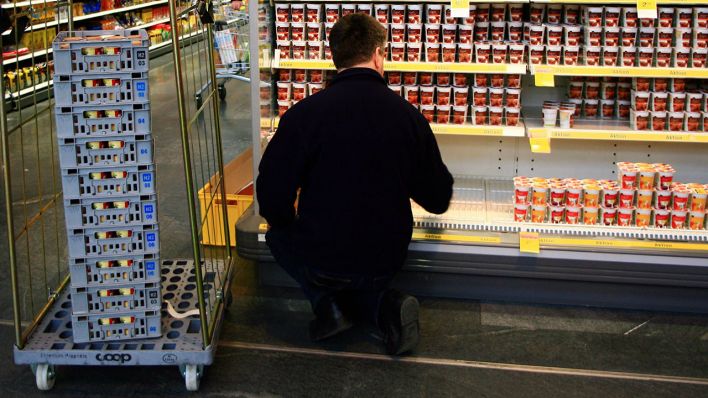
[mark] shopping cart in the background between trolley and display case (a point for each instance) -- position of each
(231, 49)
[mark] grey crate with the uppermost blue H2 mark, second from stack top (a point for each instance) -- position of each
(123, 88)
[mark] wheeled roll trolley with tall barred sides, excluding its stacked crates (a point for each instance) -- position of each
(39, 275)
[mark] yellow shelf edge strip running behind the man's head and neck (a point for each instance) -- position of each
(409, 66)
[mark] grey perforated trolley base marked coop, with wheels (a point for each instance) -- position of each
(180, 344)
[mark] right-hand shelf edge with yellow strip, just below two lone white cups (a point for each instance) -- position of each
(606, 130)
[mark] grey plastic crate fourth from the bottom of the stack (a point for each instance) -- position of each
(109, 242)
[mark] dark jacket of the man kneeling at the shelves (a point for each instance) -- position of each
(358, 152)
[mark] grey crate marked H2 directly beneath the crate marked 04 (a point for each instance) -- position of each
(108, 182)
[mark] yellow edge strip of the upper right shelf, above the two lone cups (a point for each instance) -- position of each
(561, 70)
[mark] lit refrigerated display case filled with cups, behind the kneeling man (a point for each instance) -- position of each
(561, 92)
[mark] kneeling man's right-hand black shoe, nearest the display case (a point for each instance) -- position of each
(399, 322)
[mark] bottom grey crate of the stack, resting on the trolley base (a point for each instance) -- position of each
(132, 325)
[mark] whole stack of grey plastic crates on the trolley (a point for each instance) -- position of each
(108, 176)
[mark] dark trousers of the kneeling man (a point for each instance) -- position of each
(358, 295)
